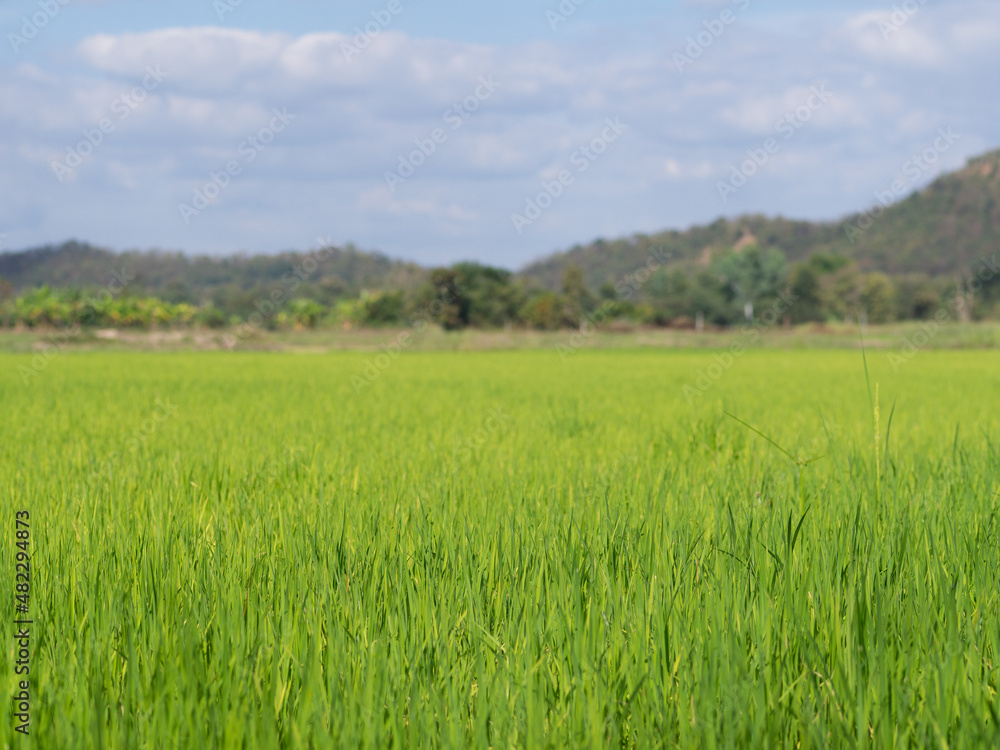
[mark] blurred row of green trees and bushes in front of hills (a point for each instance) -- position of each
(729, 289)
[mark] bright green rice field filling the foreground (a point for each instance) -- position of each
(505, 549)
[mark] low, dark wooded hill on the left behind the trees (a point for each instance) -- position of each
(178, 277)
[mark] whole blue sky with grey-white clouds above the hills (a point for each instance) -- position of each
(439, 130)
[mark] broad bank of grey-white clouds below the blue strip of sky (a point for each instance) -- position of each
(354, 119)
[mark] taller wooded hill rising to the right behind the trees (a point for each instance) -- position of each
(942, 229)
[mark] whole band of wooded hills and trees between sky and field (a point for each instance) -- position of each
(935, 254)
